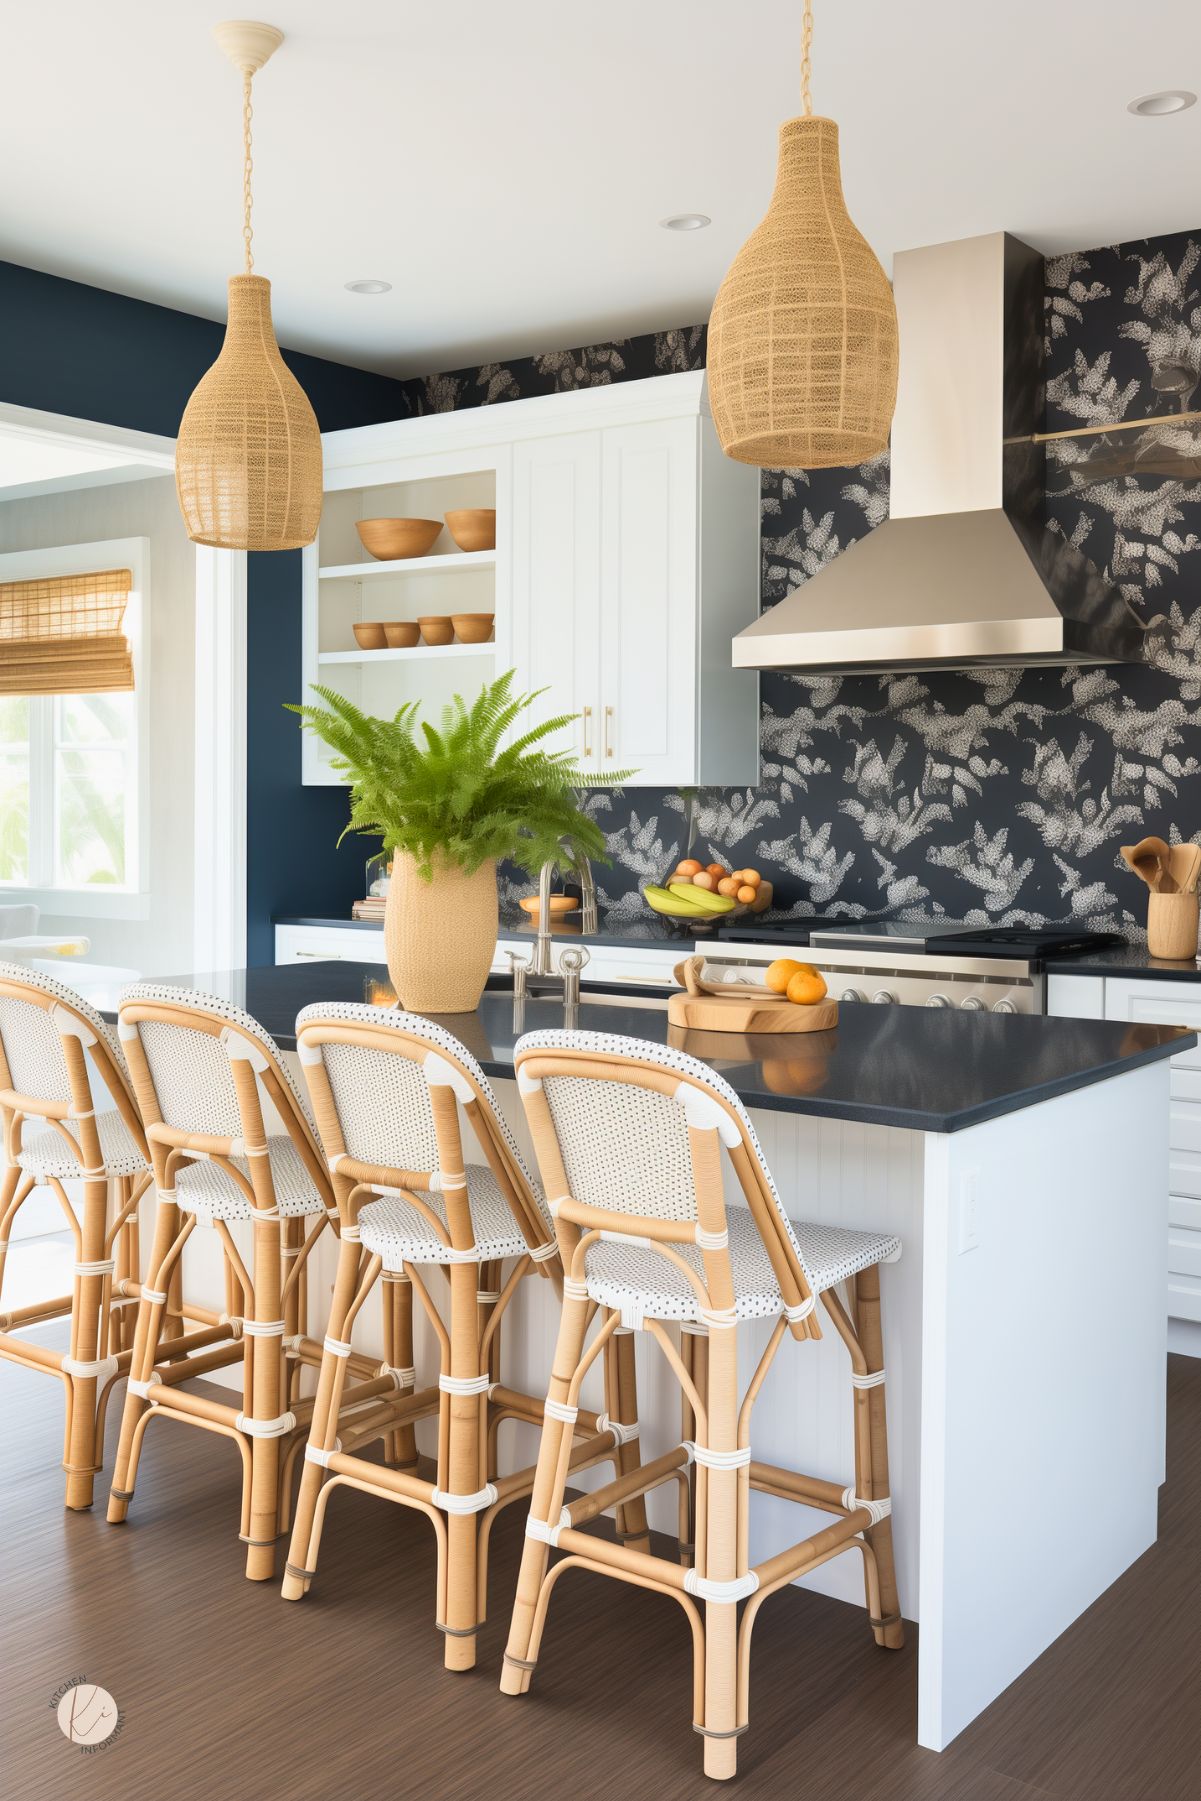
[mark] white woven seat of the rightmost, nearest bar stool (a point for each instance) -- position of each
(637, 1280)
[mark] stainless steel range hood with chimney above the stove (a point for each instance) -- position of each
(964, 572)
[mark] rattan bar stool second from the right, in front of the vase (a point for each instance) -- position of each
(388, 1091)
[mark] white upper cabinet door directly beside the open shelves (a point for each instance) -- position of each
(555, 599)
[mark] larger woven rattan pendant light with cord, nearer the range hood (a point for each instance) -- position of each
(804, 332)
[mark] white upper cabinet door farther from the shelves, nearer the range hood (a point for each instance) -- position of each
(651, 601)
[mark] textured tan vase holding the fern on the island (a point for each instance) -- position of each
(440, 937)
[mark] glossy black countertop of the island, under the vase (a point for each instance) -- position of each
(910, 1067)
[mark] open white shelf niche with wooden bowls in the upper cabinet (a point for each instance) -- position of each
(347, 586)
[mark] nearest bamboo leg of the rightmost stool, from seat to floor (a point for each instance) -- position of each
(721, 1562)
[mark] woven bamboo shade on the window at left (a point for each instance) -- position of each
(66, 635)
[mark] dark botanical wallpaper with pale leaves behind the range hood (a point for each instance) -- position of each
(995, 795)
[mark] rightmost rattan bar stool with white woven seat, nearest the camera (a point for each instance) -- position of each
(629, 1141)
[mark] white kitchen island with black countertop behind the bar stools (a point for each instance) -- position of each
(1024, 1164)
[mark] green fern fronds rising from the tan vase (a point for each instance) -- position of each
(458, 793)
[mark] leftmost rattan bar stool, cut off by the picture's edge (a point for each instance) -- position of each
(51, 1047)
